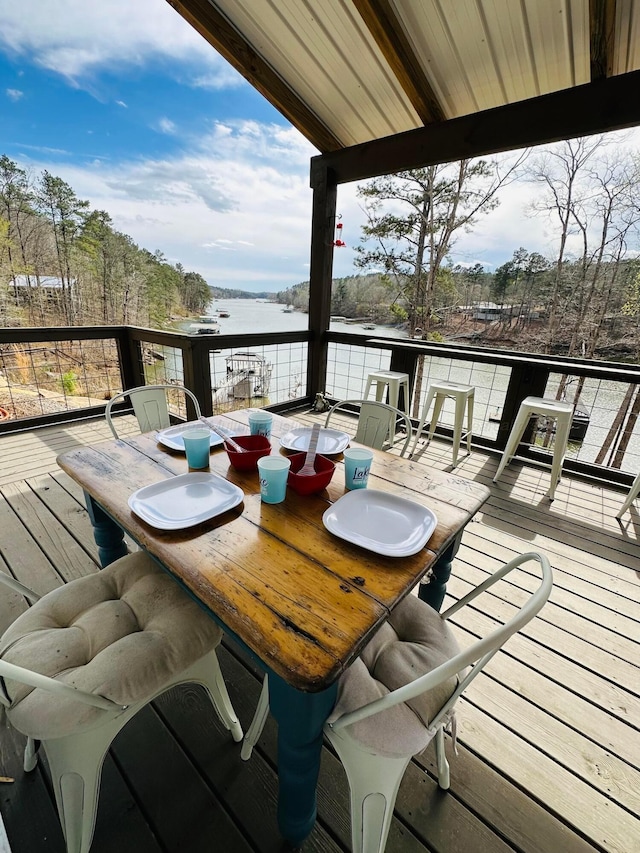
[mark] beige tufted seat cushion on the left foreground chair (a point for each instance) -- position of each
(122, 633)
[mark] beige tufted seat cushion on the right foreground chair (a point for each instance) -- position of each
(413, 641)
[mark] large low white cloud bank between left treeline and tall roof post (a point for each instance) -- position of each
(242, 192)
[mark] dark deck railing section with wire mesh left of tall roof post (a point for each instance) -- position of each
(49, 375)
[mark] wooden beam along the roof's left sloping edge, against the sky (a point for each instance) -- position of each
(222, 35)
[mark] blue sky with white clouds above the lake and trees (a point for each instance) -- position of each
(130, 106)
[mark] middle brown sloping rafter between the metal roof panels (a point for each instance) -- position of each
(389, 34)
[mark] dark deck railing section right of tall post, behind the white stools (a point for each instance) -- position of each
(502, 380)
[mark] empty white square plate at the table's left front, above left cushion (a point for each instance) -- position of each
(185, 500)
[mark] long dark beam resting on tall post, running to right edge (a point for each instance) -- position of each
(598, 107)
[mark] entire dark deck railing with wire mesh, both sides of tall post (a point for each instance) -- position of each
(49, 375)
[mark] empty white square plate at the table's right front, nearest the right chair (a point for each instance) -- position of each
(381, 522)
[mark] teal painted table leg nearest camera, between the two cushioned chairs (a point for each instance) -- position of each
(300, 717)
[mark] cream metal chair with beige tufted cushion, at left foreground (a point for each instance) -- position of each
(85, 658)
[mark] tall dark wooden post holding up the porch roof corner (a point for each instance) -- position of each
(320, 277)
